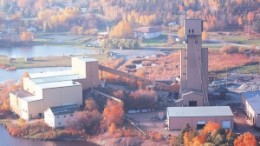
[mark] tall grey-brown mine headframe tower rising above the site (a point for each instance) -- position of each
(194, 66)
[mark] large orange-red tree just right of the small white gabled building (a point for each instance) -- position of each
(113, 113)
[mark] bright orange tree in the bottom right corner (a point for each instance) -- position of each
(246, 139)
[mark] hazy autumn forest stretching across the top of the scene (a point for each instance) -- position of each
(61, 15)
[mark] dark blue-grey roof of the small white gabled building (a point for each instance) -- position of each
(66, 109)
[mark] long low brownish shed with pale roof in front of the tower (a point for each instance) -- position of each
(198, 117)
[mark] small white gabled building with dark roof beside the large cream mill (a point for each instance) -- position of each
(59, 116)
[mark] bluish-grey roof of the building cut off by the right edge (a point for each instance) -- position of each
(253, 98)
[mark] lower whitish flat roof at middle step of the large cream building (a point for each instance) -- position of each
(58, 84)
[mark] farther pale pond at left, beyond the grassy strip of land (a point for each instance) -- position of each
(42, 51)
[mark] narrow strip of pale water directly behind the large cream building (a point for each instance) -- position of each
(16, 75)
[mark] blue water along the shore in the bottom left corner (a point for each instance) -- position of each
(7, 140)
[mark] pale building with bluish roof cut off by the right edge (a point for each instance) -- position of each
(251, 103)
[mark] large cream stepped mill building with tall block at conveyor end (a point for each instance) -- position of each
(49, 89)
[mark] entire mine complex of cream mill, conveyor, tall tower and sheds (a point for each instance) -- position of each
(57, 95)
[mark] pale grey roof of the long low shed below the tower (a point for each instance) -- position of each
(202, 111)
